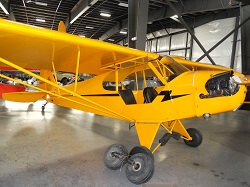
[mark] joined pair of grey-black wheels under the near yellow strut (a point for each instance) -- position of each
(139, 163)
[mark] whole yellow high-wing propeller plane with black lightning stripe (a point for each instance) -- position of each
(143, 88)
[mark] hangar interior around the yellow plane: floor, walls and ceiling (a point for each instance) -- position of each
(64, 147)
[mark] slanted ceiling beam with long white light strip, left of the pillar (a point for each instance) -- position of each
(79, 9)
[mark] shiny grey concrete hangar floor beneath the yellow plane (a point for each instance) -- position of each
(64, 147)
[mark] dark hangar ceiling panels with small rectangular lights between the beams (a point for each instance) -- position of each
(48, 13)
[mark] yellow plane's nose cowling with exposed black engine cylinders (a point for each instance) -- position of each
(218, 92)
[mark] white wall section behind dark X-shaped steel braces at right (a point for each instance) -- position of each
(211, 33)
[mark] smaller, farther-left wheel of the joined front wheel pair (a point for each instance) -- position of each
(111, 161)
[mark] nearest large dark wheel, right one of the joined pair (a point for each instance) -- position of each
(142, 170)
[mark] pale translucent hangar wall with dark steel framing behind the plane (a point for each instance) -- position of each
(179, 42)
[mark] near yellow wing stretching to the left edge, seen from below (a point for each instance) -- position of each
(34, 47)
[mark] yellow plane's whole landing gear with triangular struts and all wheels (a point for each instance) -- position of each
(139, 163)
